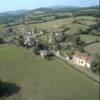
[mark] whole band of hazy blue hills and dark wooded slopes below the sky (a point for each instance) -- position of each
(13, 16)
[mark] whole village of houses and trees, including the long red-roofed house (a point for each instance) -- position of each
(49, 46)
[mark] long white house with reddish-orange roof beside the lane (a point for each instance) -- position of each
(83, 60)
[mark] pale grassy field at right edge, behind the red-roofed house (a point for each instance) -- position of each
(93, 48)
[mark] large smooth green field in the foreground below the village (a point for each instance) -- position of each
(40, 79)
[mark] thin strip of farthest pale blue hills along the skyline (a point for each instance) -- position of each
(47, 10)
